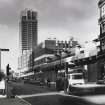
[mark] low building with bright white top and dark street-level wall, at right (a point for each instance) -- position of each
(87, 58)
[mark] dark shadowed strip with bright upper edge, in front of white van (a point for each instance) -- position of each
(87, 89)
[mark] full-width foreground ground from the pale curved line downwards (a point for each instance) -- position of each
(53, 98)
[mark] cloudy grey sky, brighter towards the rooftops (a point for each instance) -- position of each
(56, 19)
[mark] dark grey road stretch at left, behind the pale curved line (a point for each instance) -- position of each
(27, 89)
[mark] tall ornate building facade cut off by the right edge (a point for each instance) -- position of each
(101, 39)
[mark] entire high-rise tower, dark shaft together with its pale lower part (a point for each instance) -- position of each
(27, 40)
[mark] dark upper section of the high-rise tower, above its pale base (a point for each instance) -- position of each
(28, 30)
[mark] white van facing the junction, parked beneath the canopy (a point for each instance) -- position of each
(75, 78)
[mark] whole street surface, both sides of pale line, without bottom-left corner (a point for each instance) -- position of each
(37, 95)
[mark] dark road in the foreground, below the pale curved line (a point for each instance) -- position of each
(57, 99)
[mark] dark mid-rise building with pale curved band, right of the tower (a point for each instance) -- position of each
(50, 58)
